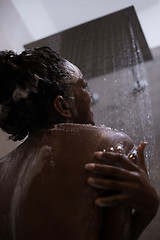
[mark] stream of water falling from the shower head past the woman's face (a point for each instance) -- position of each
(124, 99)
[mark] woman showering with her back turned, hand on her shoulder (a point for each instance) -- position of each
(45, 97)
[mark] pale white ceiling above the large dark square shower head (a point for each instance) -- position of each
(46, 17)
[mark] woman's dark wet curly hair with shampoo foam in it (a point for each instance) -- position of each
(28, 83)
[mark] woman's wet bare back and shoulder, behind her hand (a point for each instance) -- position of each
(46, 195)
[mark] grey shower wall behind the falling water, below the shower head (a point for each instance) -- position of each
(135, 113)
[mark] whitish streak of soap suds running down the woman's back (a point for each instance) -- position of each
(25, 178)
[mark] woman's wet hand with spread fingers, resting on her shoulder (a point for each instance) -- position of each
(131, 181)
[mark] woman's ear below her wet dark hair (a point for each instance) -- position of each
(62, 107)
